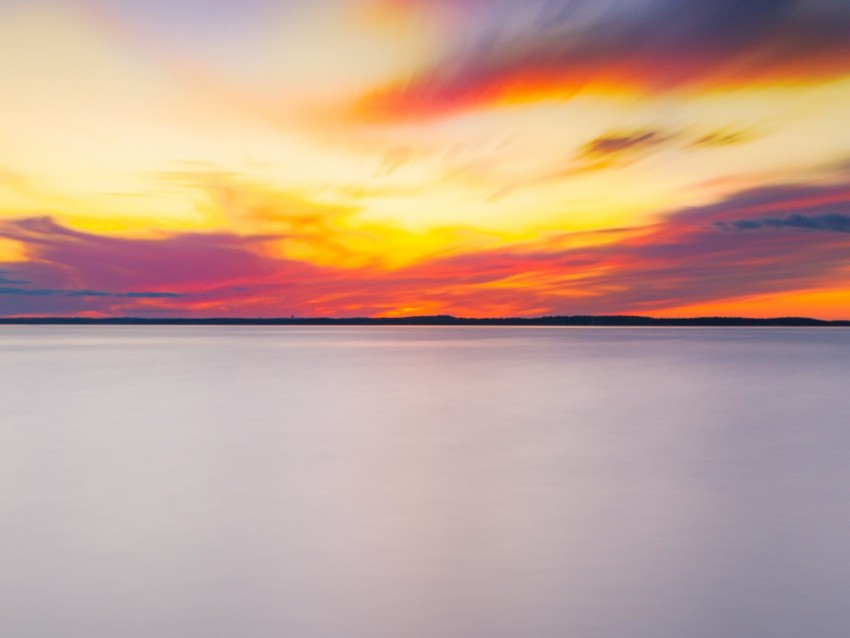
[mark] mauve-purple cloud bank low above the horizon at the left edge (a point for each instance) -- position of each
(106, 273)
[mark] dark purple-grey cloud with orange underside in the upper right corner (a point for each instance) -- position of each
(560, 47)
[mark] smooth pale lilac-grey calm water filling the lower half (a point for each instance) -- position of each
(424, 482)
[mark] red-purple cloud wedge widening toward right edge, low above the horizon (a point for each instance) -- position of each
(687, 257)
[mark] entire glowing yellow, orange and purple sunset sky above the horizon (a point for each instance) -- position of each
(196, 158)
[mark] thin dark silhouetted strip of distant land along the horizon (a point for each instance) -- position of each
(437, 320)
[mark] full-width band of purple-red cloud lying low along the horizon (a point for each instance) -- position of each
(785, 239)
